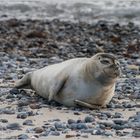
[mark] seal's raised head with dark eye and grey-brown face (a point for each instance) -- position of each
(107, 67)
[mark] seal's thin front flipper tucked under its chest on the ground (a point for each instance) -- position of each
(87, 105)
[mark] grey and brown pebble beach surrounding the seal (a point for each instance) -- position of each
(32, 44)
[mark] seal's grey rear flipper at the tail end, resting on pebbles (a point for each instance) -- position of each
(25, 82)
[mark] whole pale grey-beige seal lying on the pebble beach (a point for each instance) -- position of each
(88, 82)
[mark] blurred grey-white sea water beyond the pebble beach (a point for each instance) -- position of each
(73, 10)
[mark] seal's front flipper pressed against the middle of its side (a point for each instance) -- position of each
(58, 85)
